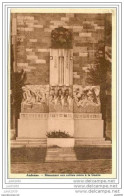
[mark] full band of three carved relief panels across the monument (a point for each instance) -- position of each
(44, 99)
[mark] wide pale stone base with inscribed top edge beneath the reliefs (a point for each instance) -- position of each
(86, 129)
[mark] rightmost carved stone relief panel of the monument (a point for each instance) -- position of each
(86, 100)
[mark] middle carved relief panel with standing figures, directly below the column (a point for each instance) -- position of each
(60, 99)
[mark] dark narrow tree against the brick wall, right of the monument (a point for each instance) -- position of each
(98, 75)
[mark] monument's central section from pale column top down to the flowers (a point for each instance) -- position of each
(61, 101)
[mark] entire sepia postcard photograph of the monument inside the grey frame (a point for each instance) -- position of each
(60, 92)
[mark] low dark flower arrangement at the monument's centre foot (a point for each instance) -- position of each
(58, 134)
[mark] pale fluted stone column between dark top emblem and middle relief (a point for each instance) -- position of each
(61, 67)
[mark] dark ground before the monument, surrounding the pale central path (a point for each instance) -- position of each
(89, 160)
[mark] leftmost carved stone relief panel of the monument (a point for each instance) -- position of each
(35, 99)
